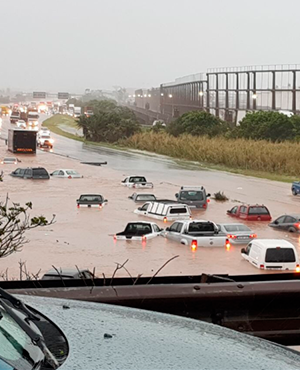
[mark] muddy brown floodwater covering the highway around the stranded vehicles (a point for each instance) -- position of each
(84, 237)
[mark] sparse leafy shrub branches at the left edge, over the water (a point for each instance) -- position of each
(14, 222)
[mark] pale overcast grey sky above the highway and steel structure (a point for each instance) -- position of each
(70, 45)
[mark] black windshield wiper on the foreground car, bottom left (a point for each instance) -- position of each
(37, 339)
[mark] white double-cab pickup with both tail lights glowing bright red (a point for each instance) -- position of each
(196, 233)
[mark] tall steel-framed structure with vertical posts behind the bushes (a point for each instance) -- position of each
(228, 93)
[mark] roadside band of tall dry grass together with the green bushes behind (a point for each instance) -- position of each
(265, 144)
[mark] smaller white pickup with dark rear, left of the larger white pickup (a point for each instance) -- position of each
(140, 230)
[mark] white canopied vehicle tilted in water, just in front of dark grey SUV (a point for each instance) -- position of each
(165, 210)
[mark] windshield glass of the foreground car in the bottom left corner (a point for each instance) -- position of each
(15, 345)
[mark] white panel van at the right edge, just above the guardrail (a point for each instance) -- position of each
(272, 254)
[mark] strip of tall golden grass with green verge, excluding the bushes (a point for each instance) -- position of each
(274, 161)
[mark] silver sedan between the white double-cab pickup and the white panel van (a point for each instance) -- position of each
(237, 233)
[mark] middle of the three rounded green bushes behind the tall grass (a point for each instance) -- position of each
(197, 123)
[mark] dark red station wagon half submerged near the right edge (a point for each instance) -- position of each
(250, 212)
